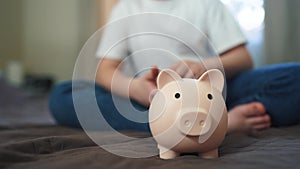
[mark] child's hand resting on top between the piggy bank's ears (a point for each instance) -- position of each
(189, 69)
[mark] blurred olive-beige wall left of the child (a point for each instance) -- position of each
(46, 35)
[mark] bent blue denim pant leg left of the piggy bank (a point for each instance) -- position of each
(63, 110)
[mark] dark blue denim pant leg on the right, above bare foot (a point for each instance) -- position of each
(277, 87)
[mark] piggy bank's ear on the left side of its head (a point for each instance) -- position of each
(167, 76)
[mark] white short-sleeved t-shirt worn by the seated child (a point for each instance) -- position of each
(144, 33)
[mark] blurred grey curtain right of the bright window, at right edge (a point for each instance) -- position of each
(282, 35)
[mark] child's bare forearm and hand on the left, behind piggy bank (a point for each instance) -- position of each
(139, 89)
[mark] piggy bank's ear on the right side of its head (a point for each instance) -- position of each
(215, 77)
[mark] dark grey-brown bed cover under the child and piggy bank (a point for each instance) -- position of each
(29, 138)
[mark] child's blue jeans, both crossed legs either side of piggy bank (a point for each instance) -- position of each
(277, 87)
